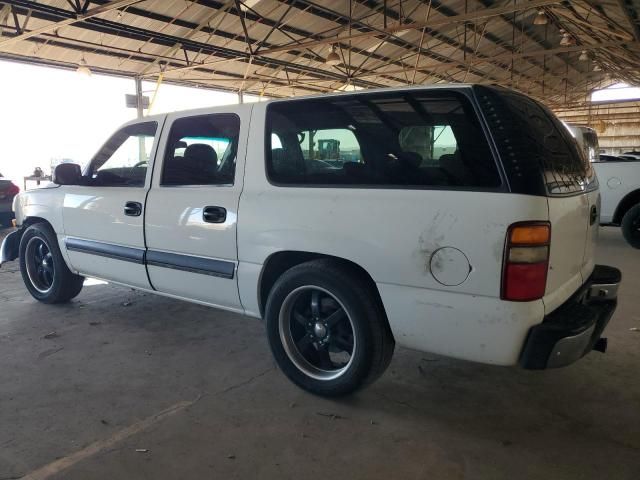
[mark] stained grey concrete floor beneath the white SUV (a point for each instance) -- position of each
(119, 384)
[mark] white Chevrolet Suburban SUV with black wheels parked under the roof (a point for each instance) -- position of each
(458, 219)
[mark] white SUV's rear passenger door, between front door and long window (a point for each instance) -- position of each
(192, 208)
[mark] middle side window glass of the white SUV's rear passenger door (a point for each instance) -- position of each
(202, 150)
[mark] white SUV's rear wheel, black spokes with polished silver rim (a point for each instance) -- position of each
(327, 329)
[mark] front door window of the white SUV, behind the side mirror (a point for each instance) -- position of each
(124, 159)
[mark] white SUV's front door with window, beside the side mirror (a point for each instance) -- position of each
(103, 219)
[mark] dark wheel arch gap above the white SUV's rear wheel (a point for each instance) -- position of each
(279, 262)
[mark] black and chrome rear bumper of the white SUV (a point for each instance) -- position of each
(572, 330)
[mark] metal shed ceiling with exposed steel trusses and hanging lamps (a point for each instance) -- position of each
(556, 51)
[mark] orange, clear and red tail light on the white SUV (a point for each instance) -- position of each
(526, 261)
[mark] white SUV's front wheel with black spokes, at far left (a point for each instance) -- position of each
(44, 271)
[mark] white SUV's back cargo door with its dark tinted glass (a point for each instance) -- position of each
(541, 158)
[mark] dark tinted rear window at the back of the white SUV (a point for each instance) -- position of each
(538, 153)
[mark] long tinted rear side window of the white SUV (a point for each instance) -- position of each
(403, 139)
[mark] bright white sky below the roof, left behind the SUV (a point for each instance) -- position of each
(48, 114)
